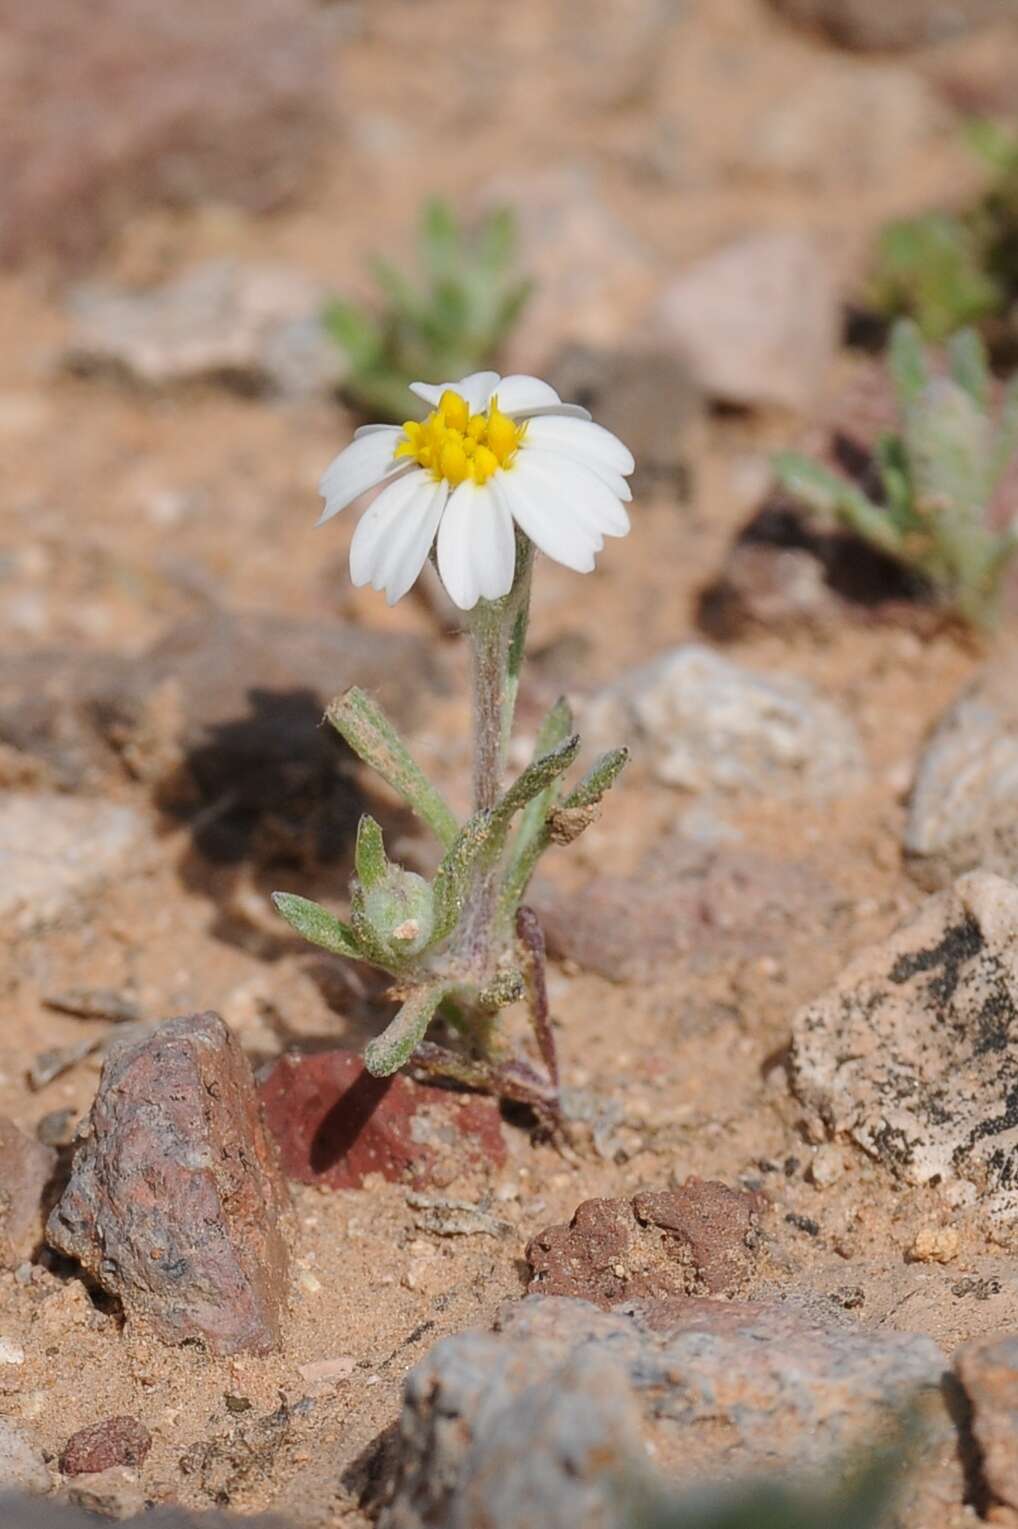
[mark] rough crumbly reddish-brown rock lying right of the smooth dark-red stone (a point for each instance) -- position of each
(696, 1241)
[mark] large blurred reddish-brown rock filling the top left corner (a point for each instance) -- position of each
(201, 112)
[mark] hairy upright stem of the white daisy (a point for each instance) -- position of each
(498, 631)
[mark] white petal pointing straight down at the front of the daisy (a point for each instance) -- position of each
(478, 547)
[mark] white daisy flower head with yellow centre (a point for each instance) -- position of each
(491, 452)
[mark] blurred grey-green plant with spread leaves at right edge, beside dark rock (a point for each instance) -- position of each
(938, 476)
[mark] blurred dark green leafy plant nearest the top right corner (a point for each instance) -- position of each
(948, 270)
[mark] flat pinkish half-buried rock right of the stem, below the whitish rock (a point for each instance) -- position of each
(687, 903)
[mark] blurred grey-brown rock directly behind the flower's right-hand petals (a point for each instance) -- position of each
(647, 398)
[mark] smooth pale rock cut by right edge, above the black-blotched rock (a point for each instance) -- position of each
(964, 807)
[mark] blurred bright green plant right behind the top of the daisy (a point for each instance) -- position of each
(446, 325)
